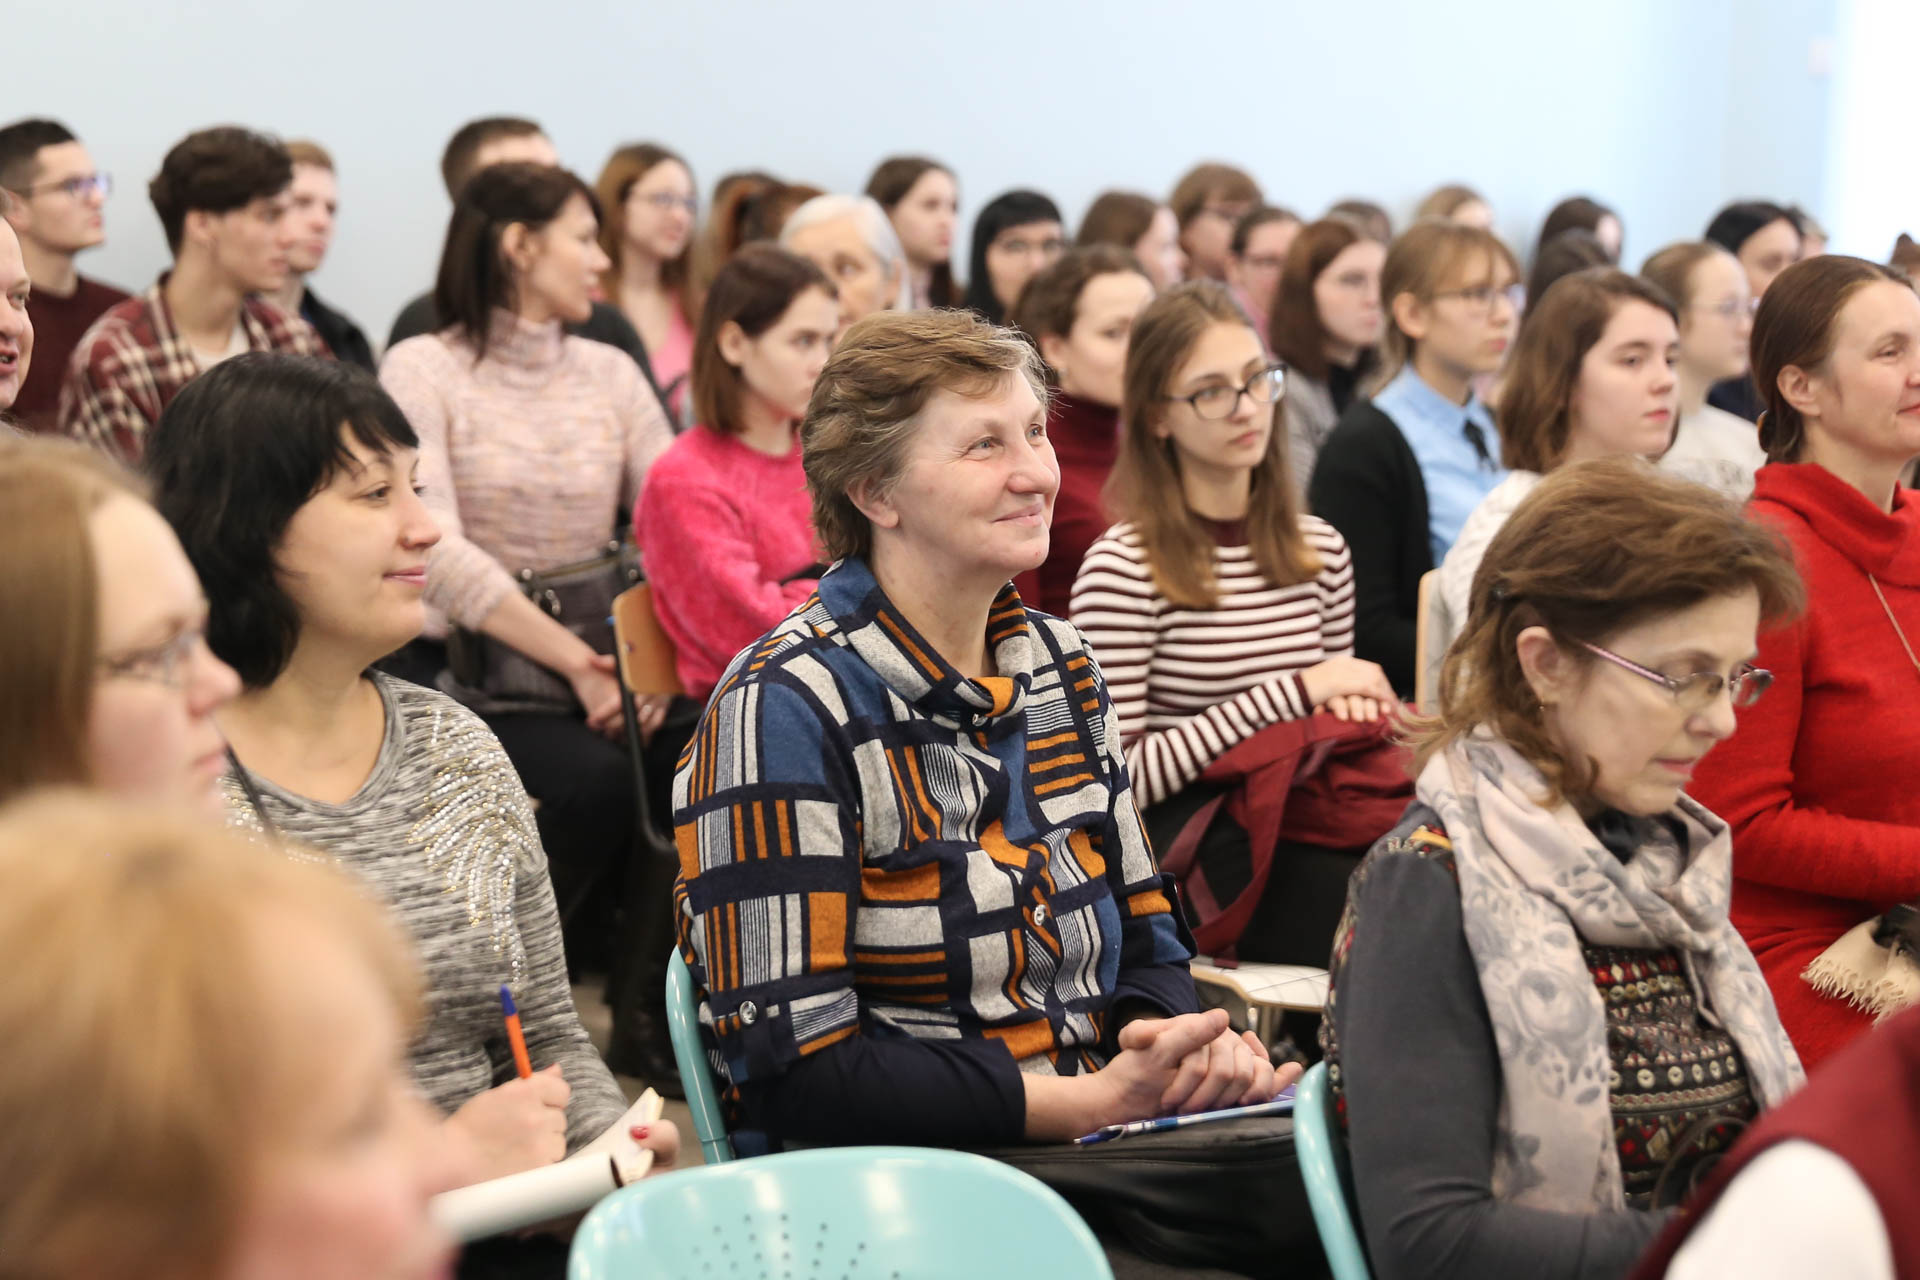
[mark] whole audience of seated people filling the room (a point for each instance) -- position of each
(1040, 630)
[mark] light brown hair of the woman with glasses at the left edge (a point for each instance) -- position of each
(51, 602)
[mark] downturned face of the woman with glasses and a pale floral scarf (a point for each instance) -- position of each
(1641, 740)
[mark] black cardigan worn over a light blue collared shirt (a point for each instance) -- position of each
(1368, 485)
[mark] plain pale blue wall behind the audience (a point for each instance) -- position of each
(1648, 105)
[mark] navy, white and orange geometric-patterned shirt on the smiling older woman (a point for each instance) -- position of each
(873, 843)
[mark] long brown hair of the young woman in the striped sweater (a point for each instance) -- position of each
(1145, 486)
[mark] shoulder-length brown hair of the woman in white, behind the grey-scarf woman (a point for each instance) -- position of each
(1558, 333)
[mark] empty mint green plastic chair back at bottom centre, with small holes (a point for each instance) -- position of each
(838, 1214)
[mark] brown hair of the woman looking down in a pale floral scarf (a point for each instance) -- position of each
(1595, 550)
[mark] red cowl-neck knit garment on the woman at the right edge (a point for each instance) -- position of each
(1821, 780)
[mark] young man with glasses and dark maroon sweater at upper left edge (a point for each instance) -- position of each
(57, 212)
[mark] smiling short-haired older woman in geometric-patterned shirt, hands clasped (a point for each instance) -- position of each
(919, 901)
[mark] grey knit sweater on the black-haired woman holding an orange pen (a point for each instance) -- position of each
(444, 834)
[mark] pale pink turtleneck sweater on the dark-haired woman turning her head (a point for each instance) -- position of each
(527, 458)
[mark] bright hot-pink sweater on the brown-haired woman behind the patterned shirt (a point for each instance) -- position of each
(723, 529)
